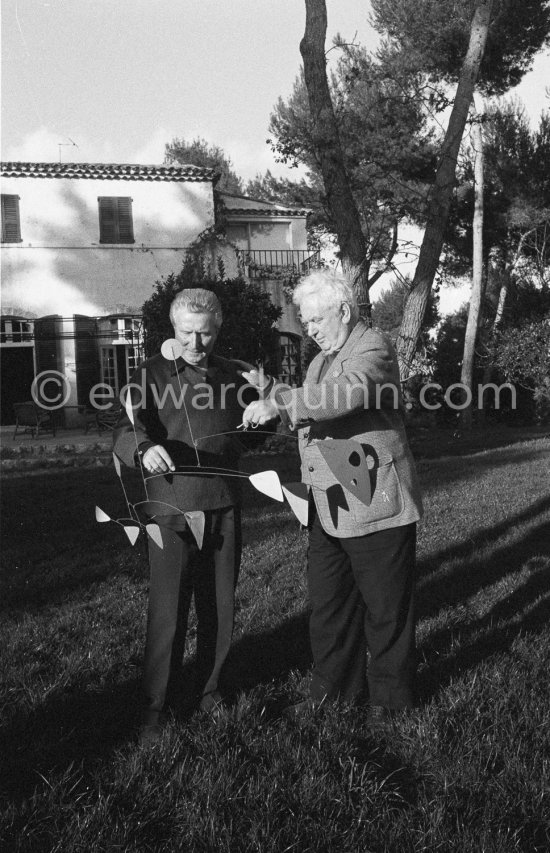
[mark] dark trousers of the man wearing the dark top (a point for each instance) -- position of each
(178, 572)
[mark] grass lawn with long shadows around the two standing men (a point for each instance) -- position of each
(468, 770)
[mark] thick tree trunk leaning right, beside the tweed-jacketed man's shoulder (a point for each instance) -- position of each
(442, 191)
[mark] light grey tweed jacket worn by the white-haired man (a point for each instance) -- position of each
(357, 489)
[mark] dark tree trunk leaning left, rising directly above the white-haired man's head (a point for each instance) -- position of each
(326, 138)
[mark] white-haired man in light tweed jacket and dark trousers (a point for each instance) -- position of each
(364, 502)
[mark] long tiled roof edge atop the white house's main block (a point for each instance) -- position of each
(107, 171)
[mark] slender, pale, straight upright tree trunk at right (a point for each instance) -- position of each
(474, 311)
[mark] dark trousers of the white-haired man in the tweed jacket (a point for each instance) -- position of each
(362, 598)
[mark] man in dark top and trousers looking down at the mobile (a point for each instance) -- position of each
(189, 400)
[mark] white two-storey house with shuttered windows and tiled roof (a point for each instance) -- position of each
(83, 245)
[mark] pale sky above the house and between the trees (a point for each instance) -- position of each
(115, 80)
